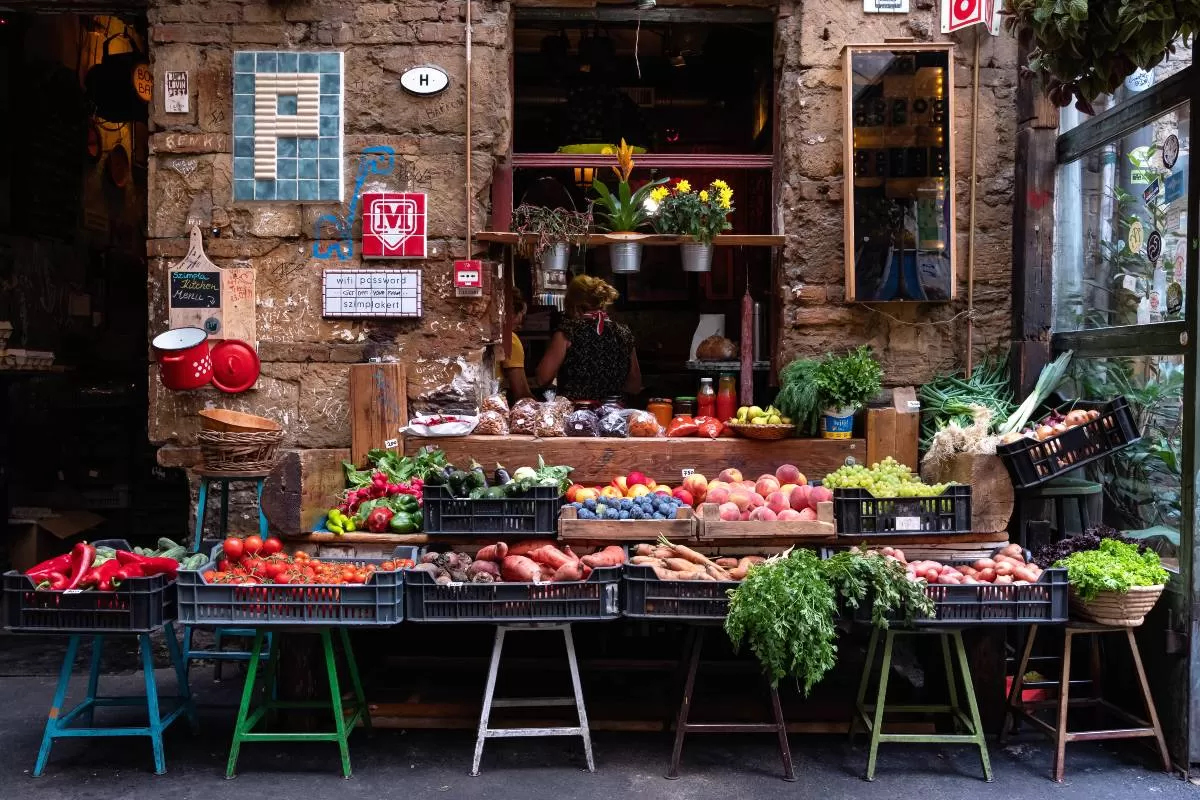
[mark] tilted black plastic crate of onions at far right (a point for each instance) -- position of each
(1031, 462)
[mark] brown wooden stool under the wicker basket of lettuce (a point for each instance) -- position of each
(1060, 733)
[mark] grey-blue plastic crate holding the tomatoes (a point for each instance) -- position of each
(381, 601)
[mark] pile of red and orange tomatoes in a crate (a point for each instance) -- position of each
(255, 561)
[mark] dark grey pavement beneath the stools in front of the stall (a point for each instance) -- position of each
(436, 765)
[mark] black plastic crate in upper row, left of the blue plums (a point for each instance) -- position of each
(536, 514)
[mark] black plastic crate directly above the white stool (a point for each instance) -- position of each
(596, 599)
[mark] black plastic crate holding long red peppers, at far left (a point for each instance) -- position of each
(139, 606)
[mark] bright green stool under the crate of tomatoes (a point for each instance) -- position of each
(345, 719)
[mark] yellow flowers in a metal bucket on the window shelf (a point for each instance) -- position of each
(701, 215)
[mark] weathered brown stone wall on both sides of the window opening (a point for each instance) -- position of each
(305, 358)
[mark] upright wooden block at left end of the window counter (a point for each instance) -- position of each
(379, 408)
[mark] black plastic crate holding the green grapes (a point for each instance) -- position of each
(861, 515)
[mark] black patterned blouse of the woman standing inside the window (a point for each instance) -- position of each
(597, 365)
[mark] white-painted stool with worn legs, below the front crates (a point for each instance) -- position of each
(491, 701)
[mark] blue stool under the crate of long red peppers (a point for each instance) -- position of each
(59, 725)
